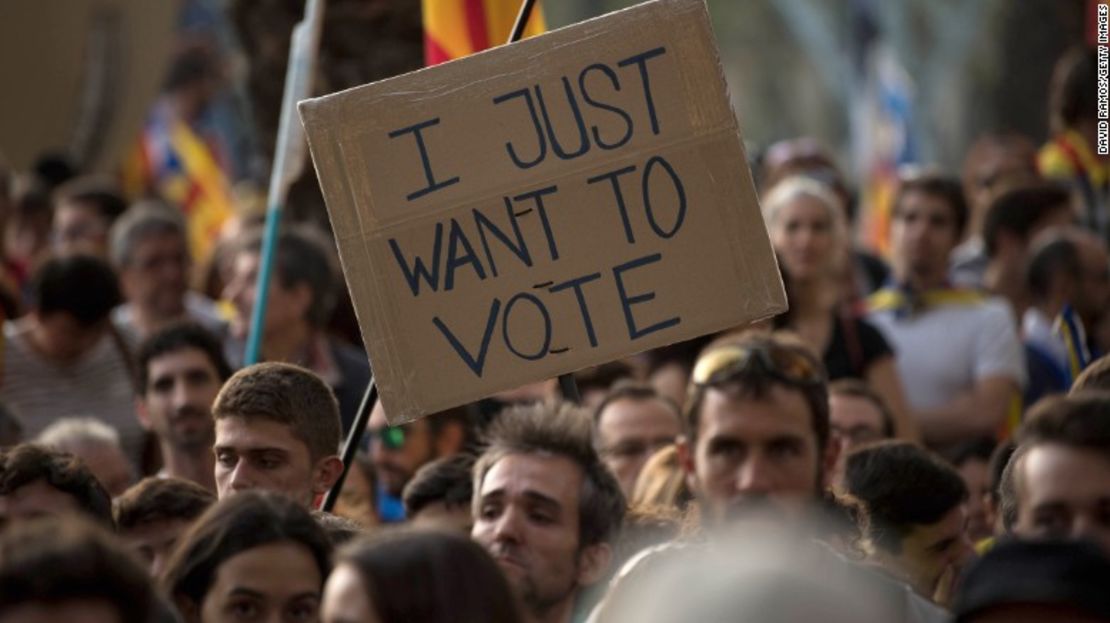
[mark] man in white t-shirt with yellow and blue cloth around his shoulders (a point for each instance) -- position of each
(970, 387)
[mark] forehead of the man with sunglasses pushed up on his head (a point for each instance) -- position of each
(731, 413)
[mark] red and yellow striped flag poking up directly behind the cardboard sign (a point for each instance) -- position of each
(457, 28)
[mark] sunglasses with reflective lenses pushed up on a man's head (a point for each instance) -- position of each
(726, 363)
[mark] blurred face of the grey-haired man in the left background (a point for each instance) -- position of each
(157, 276)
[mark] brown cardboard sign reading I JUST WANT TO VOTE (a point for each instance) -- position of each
(543, 207)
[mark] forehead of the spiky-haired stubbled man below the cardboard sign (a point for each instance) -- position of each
(549, 476)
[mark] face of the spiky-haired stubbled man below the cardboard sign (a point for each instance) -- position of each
(528, 519)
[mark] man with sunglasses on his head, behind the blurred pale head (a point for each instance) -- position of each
(759, 455)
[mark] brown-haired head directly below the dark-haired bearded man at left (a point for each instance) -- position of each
(152, 516)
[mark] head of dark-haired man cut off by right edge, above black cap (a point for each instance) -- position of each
(1061, 475)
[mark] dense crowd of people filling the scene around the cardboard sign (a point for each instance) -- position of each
(923, 438)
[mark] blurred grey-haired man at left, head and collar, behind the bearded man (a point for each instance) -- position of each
(152, 254)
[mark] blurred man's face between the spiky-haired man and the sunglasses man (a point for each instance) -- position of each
(630, 431)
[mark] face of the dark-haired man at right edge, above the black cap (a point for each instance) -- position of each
(1064, 493)
